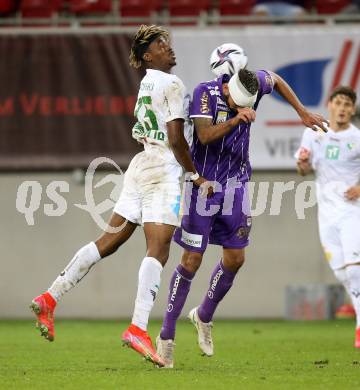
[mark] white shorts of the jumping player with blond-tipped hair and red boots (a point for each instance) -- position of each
(151, 191)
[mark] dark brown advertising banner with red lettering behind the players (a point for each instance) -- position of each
(65, 100)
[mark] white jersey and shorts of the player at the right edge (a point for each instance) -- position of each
(335, 158)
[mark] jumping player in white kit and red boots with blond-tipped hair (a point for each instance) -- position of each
(151, 192)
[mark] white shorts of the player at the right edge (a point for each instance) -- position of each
(341, 241)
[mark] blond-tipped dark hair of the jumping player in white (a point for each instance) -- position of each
(142, 39)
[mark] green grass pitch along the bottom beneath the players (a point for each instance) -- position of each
(248, 355)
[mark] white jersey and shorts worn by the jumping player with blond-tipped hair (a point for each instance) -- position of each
(151, 191)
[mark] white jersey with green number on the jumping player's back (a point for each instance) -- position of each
(161, 99)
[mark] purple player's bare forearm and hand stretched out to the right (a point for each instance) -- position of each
(311, 120)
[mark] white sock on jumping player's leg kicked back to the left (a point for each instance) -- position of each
(78, 267)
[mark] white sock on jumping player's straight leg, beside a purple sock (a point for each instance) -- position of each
(148, 287)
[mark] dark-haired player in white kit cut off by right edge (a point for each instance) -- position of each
(335, 158)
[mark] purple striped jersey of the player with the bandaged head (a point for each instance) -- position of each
(227, 157)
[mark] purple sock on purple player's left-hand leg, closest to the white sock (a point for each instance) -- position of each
(178, 291)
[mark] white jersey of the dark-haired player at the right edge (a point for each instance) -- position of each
(335, 158)
